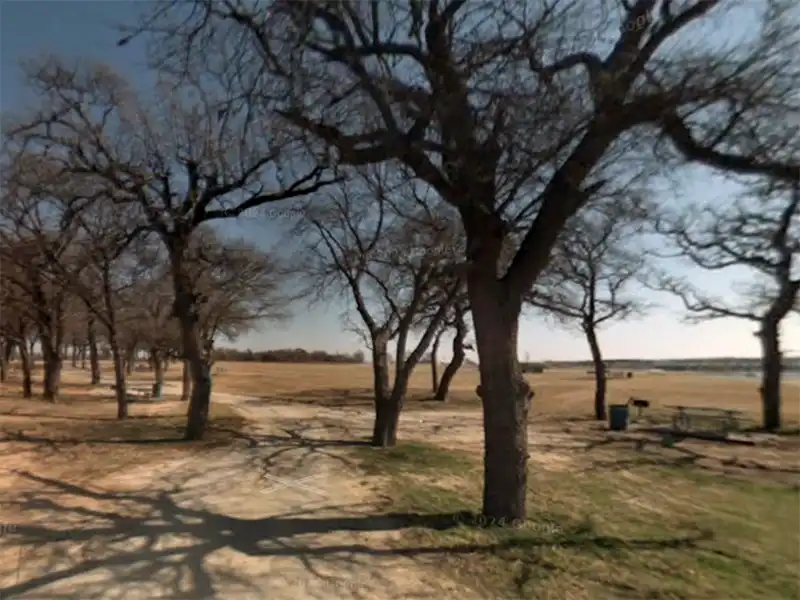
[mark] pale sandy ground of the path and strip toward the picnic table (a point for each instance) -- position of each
(283, 515)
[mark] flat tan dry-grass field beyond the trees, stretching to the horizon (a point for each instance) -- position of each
(561, 394)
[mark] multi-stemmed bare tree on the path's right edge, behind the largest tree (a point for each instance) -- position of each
(392, 268)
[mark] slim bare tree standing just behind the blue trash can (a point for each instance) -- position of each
(588, 281)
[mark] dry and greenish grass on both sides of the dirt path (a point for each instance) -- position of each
(610, 517)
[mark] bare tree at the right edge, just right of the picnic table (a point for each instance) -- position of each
(762, 236)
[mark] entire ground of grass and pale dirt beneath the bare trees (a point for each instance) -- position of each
(611, 516)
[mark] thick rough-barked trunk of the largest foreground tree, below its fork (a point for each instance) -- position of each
(504, 393)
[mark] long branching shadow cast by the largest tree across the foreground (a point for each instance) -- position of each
(110, 542)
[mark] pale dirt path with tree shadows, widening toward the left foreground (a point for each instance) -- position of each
(283, 517)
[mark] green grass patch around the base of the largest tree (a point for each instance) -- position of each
(646, 531)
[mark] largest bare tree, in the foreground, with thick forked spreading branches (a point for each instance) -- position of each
(510, 112)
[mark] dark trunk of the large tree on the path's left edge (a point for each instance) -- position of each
(186, 312)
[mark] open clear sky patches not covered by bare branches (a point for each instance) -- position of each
(84, 29)
